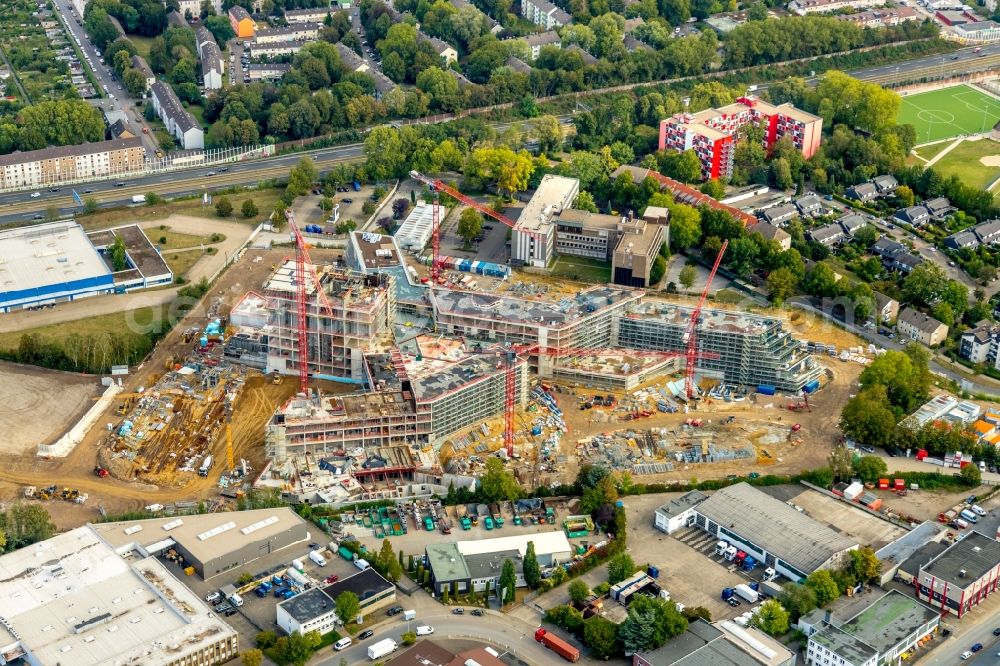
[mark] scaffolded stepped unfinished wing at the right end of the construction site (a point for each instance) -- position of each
(752, 350)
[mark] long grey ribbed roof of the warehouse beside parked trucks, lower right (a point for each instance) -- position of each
(799, 540)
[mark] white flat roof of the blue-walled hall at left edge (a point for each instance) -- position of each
(47, 254)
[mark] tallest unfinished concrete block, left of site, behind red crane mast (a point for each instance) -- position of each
(362, 310)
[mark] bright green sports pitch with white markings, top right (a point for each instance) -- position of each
(949, 112)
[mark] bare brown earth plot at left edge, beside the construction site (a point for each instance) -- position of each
(37, 405)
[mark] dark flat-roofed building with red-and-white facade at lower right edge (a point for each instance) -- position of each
(961, 577)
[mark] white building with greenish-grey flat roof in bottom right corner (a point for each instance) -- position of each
(890, 627)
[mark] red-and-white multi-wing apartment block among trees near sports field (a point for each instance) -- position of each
(712, 133)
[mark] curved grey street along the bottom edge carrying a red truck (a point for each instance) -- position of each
(504, 632)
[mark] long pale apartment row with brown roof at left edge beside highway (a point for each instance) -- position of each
(63, 163)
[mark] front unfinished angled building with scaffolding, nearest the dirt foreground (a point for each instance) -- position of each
(415, 399)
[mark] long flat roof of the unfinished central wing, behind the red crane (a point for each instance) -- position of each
(552, 314)
